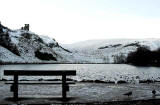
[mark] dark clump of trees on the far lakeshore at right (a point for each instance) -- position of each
(143, 56)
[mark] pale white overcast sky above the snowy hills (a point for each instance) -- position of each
(71, 21)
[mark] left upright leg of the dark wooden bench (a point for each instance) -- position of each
(15, 92)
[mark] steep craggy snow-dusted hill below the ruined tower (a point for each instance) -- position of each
(22, 46)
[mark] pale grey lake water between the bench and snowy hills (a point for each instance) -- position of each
(93, 72)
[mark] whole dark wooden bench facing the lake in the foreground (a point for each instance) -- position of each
(17, 73)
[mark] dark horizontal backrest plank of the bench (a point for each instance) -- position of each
(40, 72)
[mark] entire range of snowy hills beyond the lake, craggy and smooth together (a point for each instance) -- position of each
(22, 46)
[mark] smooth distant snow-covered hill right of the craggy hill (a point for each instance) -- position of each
(108, 51)
